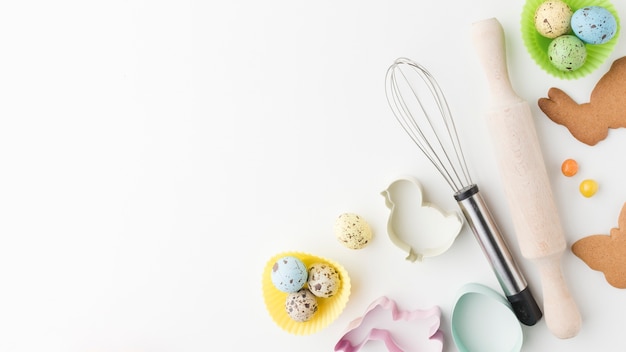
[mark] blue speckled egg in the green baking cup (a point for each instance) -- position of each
(594, 24)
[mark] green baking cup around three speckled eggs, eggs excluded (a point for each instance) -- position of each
(537, 45)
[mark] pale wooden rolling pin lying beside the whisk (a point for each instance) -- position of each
(525, 179)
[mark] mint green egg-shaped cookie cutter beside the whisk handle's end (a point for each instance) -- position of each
(498, 329)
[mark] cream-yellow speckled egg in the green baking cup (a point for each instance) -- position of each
(552, 18)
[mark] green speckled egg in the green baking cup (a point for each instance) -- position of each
(567, 53)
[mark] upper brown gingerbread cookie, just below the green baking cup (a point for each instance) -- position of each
(590, 122)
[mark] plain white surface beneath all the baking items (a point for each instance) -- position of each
(155, 154)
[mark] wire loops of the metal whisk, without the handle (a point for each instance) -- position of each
(415, 117)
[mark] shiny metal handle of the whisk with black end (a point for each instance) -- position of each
(495, 249)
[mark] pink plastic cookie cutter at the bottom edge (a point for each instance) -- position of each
(399, 330)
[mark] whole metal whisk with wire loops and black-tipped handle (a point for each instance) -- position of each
(408, 84)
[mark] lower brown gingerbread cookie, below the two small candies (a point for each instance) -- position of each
(606, 253)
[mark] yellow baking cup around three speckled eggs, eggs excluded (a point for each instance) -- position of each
(328, 308)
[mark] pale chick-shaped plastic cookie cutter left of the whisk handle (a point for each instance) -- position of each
(419, 228)
